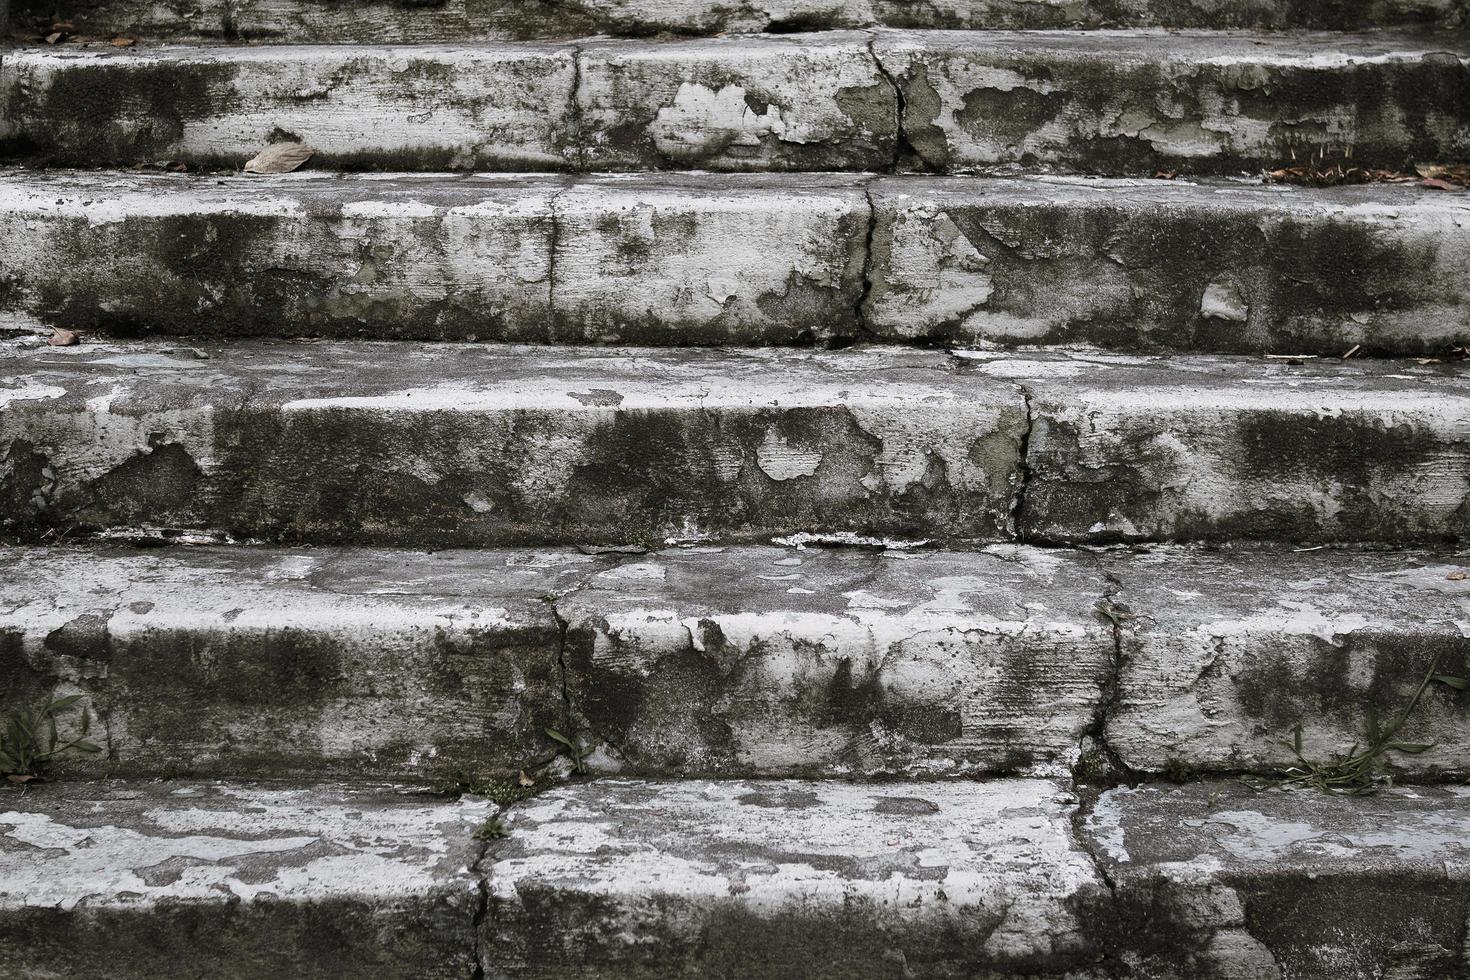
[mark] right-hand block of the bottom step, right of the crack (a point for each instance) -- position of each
(1218, 882)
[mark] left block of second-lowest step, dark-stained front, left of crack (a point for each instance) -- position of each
(259, 663)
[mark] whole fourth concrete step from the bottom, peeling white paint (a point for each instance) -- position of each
(745, 259)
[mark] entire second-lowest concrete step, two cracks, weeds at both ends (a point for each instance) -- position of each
(736, 662)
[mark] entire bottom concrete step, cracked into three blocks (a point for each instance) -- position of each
(750, 879)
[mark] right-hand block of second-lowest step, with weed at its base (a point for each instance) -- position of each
(1227, 653)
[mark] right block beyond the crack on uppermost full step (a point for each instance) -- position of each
(1130, 102)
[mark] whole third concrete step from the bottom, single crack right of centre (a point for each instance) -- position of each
(462, 444)
